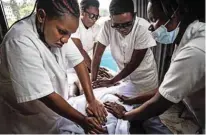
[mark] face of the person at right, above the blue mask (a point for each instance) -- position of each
(157, 18)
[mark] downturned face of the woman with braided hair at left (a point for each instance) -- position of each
(58, 30)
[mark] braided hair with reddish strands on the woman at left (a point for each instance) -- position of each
(55, 8)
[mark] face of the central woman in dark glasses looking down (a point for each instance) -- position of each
(123, 23)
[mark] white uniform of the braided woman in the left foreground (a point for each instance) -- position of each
(29, 71)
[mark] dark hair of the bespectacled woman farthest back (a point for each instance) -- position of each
(85, 4)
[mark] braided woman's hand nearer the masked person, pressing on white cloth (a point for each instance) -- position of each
(97, 110)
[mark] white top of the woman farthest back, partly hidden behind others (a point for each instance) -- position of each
(87, 36)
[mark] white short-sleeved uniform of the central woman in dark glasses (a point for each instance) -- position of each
(145, 77)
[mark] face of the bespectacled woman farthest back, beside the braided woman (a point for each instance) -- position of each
(90, 16)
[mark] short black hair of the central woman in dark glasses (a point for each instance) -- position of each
(121, 6)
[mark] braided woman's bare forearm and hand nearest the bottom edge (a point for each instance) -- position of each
(61, 107)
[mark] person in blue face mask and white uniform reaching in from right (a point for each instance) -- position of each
(176, 22)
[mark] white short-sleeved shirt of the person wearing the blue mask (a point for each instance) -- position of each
(186, 73)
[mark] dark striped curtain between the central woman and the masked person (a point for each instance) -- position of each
(162, 53)
